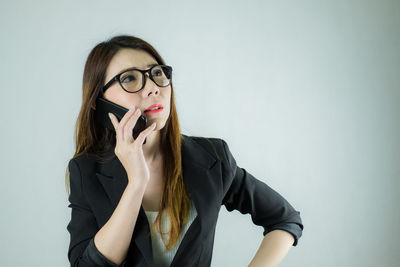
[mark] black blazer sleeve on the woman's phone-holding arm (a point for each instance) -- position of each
(82, 226)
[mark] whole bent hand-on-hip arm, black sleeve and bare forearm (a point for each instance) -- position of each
(281, 222)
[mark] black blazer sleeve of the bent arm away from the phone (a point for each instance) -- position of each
(245, 193)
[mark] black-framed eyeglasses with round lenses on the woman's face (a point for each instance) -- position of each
(133, 80)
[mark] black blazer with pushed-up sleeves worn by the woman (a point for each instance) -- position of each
(213, 179)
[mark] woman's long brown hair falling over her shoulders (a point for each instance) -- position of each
(94, 139)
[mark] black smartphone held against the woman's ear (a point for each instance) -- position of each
(104, 106)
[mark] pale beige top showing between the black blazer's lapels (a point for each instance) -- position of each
(162, 257)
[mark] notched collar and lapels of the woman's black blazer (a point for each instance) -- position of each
(197, 164)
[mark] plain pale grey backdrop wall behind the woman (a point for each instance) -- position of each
(306, 94)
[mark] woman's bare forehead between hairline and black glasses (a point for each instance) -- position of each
(129, 58)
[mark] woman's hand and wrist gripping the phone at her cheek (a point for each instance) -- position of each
(130, 151)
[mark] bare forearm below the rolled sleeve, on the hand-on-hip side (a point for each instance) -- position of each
(273, 249)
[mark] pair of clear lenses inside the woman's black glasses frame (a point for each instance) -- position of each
(132, 80)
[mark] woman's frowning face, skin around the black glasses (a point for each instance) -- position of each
(150, 94)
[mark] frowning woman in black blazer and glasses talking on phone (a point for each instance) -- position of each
(154, 200)
